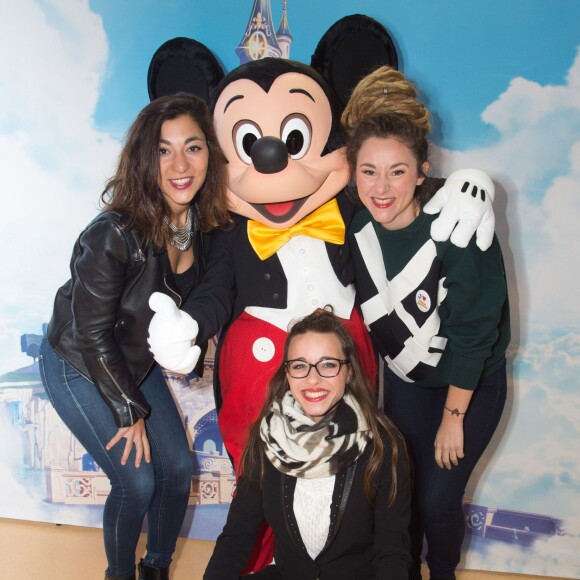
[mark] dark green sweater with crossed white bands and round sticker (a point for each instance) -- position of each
(438, 314)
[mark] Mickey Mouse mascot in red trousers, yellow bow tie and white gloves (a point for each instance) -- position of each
(277, 122)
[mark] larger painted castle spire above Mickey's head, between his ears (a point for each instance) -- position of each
(259, 40)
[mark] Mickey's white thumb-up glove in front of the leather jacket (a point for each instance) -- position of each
(172, 334)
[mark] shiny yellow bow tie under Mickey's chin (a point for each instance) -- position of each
(325, 223)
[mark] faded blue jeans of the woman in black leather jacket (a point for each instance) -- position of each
(158, 490)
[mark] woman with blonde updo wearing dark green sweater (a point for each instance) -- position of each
(438, 314)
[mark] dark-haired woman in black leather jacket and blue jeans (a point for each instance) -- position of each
(97, 370)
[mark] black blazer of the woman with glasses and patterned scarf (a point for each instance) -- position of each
(366, 541)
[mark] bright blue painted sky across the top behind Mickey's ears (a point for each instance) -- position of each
(462, 54)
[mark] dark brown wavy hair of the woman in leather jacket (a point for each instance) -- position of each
(134, 190)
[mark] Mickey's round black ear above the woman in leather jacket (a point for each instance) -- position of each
(183, 64)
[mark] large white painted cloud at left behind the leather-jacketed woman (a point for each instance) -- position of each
(52, 155)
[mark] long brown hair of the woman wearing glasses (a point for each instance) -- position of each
(325, 322)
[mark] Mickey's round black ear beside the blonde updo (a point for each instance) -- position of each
(350, 49)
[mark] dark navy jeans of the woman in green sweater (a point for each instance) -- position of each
(437, 511)
